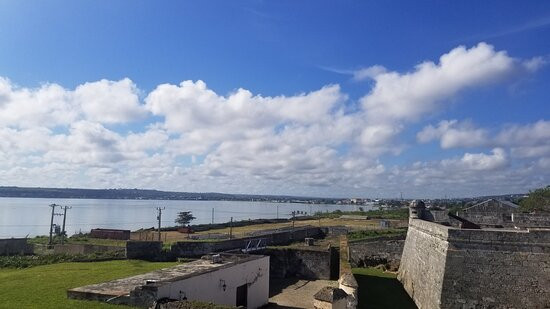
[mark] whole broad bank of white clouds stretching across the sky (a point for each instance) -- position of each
(306, 143)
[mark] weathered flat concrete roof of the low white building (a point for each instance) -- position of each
(121, 287)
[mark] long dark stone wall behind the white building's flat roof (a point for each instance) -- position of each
(200, 248)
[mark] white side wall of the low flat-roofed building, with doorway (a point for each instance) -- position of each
(209, 286)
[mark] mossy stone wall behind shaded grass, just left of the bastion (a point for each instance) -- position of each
(376, 251)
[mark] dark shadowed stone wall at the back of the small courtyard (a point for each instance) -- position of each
(302, 263)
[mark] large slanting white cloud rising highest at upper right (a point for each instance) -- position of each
(408, 96)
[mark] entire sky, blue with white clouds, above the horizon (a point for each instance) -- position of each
(83, 101)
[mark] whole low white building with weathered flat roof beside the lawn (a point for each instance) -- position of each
(226, 279)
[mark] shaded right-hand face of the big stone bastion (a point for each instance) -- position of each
(497, 269)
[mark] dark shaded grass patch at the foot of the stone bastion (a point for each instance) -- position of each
(378, 289)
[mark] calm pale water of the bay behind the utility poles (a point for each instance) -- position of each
(20, 217)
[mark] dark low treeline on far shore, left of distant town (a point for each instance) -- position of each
(140, 194)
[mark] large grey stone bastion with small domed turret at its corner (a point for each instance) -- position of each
(444, 266)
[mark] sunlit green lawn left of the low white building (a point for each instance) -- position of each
(46, 286)
